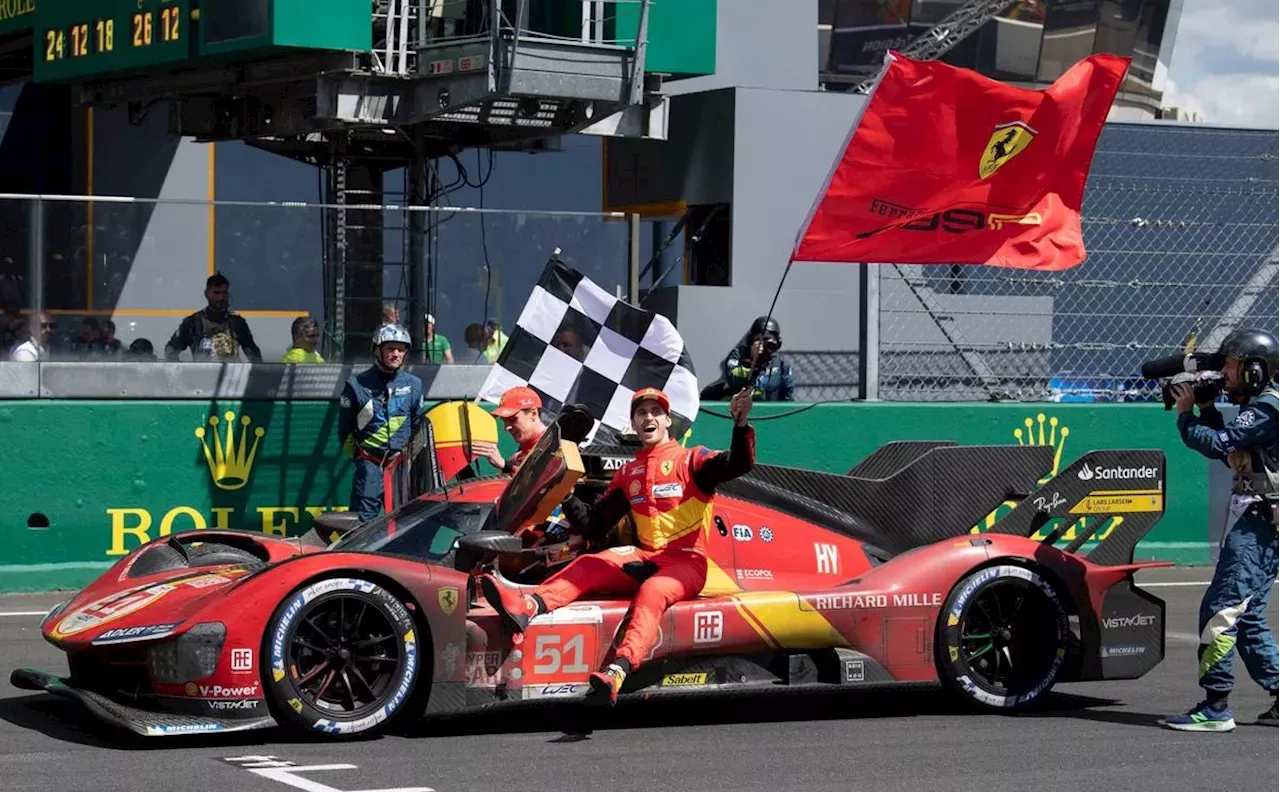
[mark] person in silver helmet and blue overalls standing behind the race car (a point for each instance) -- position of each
(378, 414)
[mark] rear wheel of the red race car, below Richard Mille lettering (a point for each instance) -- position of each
(1003, 638)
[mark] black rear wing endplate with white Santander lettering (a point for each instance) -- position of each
(1113, 497)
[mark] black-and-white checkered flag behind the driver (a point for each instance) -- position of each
(578, 345)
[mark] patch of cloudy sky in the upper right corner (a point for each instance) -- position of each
(1227, 62)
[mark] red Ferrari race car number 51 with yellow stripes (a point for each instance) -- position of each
(819, 582)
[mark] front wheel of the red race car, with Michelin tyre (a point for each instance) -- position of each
(341, 657)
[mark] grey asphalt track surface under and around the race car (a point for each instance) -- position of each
(1089, 736)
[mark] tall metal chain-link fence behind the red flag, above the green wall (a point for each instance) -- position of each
(1182, 226)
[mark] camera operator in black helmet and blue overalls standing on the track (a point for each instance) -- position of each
(1233, 612)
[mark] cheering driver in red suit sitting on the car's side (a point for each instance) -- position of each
(669, 489)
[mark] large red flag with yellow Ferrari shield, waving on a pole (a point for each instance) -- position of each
(949, 167)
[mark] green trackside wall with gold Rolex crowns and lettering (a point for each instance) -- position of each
(88, 482)
